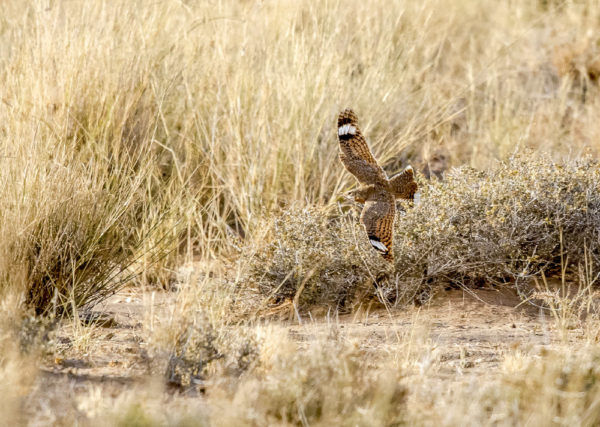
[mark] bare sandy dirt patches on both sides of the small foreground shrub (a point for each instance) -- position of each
(464, 334)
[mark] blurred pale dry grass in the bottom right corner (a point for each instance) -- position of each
(556, 388)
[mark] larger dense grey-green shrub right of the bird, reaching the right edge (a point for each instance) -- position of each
(502, 226)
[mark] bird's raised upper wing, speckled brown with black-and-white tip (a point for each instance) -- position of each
(355, 153)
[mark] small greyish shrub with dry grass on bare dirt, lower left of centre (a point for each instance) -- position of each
(205, 337)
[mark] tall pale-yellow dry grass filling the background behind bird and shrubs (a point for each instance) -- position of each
(136, 122)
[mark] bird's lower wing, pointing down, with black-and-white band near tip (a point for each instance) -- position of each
(378, 218)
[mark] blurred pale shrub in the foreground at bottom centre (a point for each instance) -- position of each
(328, 383)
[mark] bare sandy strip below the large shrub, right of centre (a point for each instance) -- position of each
(466, 332)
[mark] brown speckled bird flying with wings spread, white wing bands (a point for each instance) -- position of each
(377, 192)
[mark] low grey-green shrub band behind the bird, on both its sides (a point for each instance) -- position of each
(499, 227)
